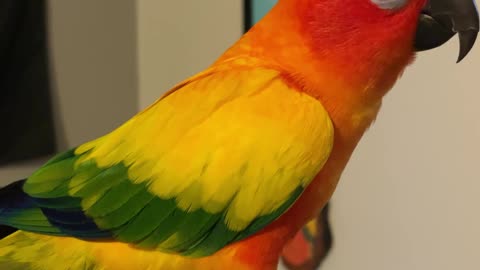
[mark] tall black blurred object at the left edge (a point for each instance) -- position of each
(26, 129)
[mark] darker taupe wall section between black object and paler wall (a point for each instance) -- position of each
(94, 56)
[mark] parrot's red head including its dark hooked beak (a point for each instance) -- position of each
(385, 25)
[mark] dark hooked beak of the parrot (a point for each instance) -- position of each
(442, 19)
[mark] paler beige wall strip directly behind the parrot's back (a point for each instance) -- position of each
(177, 39)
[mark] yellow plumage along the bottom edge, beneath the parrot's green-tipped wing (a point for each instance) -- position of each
(28, 251)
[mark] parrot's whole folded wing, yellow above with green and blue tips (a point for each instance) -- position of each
(210, 163)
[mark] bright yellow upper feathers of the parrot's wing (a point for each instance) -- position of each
(234, 140)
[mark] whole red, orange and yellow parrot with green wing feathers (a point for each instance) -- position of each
(225, 168)
